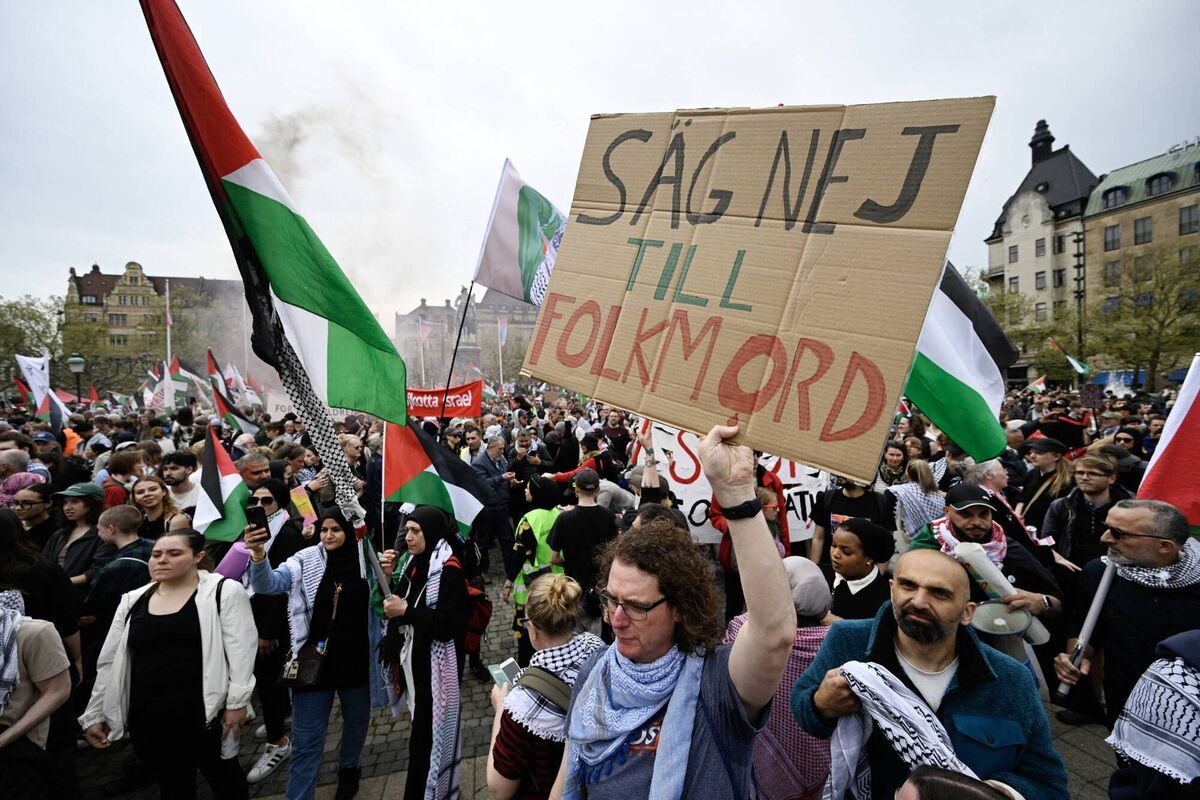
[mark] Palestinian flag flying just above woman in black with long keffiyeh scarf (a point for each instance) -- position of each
(419, 471)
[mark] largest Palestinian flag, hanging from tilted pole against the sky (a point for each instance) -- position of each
(289, 274)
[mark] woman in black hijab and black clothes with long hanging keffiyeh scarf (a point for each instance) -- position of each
(428, 616)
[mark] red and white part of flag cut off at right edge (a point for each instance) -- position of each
(1171, 476)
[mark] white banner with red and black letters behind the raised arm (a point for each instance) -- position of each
(695, 495)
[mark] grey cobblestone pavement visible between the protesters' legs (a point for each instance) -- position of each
(386, 757)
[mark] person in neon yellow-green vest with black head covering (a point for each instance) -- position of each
(532, 542)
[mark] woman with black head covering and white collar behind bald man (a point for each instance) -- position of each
(860, 549)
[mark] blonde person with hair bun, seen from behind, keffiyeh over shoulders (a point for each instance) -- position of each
(530, 731)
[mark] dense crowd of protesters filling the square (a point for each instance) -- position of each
(647, 665)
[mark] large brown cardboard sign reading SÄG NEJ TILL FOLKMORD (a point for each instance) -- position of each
(771, 267)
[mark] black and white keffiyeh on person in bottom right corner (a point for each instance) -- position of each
(1160, 726)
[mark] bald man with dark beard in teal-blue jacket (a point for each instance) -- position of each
(987, 702)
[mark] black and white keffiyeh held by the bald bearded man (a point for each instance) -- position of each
(910, 726)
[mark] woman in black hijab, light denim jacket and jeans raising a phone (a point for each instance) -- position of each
(328, 605)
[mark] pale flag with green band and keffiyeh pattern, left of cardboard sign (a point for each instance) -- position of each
(523, 240)
